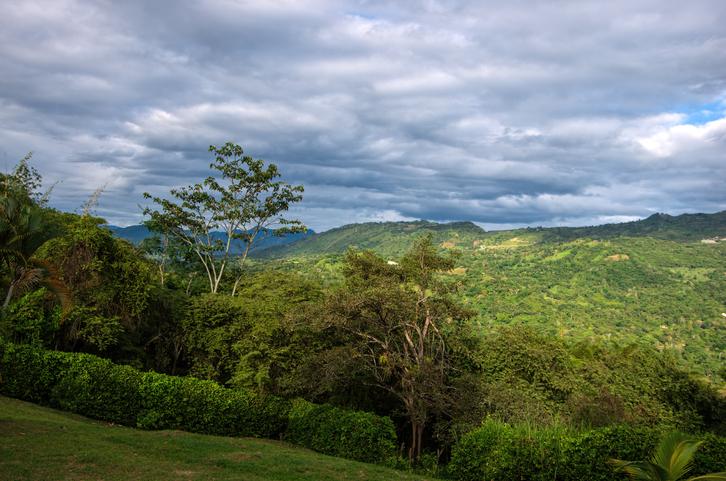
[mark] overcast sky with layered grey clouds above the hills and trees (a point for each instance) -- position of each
(503, 113)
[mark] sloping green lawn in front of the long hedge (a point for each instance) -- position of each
(38, 443)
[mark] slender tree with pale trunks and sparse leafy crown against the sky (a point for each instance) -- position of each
(246, 201)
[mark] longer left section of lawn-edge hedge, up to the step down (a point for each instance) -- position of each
(97, 388)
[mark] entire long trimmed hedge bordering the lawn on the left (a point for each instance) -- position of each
(97, 388)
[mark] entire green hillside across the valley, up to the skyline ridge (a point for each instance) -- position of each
(651, 281)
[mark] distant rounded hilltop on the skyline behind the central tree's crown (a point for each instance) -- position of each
(387, 238)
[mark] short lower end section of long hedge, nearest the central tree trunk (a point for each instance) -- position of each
(349, 434)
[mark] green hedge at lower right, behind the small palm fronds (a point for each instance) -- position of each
(499, 451)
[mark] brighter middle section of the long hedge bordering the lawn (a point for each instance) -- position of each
(191, 404)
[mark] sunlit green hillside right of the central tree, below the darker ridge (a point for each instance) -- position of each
(666, 294)
